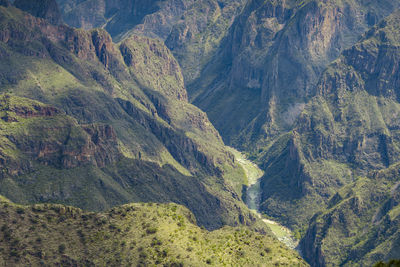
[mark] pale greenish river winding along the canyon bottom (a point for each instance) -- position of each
(253, 197)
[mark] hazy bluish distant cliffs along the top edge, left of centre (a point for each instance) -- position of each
(118, 17)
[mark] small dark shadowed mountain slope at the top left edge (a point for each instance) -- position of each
(46, 9)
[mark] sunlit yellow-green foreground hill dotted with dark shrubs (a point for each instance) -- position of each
(134, 235)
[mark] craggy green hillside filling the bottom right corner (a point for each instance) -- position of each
(360, 225)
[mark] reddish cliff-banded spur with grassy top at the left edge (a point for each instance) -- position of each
(33, 132)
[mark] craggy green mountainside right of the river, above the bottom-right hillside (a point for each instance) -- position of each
(347, 130)
